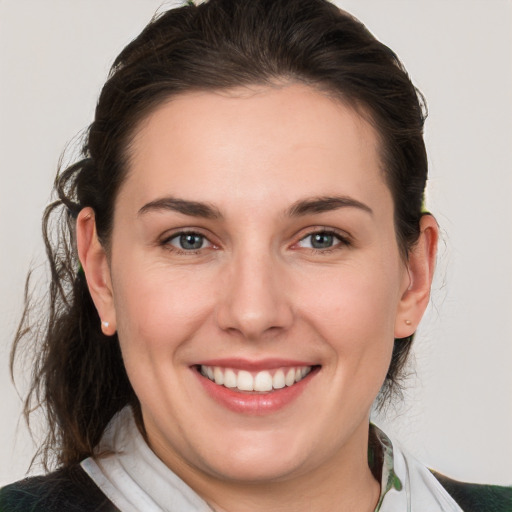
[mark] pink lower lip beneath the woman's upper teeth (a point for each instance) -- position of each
(255, 403)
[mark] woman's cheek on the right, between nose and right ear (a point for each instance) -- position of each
(354, 311)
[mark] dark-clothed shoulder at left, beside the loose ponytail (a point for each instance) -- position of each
(67, 489)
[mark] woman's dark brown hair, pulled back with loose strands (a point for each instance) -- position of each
(78, 374)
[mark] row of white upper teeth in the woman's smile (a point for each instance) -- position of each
(262, 381)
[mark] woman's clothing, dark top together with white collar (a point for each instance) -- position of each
(133, 479)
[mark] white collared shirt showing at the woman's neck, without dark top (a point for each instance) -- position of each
(135, 479)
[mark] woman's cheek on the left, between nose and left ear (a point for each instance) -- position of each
(158, 313)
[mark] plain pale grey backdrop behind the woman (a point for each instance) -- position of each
(457, 412)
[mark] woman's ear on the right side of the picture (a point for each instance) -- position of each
(416, 289)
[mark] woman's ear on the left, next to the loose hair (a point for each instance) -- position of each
(97, 272)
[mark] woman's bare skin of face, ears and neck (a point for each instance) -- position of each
(257, 289)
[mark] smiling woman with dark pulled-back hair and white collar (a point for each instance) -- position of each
(254, 261)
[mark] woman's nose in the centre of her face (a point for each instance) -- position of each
(254, 299)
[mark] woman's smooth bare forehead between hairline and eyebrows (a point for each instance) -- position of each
(253, 143)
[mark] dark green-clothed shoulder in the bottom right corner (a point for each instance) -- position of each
(477, 497)
